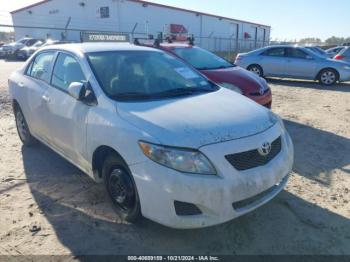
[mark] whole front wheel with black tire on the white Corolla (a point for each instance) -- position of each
(121, 188)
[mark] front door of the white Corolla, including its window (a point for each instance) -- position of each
(66, 116)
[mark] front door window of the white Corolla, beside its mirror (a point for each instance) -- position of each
(67, 70)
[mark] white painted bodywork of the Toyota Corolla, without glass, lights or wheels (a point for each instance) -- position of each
(217, 124)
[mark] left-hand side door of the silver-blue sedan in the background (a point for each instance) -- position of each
(273, 61)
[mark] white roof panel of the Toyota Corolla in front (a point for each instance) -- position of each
(98, 47)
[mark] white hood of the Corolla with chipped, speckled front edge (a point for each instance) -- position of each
(198, 120)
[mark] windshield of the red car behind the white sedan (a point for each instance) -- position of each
(202, 59)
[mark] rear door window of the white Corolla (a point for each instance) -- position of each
(40, 67)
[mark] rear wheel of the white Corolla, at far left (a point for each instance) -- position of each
(22, 128)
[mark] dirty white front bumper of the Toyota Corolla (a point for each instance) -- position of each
(217, 197)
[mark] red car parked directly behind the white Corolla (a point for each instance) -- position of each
(222, 72)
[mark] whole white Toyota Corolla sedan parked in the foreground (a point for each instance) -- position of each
(167, 143)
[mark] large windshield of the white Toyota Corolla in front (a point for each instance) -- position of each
(142, 75)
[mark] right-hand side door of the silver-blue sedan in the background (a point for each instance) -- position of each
(300, 64)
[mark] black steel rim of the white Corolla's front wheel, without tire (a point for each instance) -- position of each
(121, 189)
